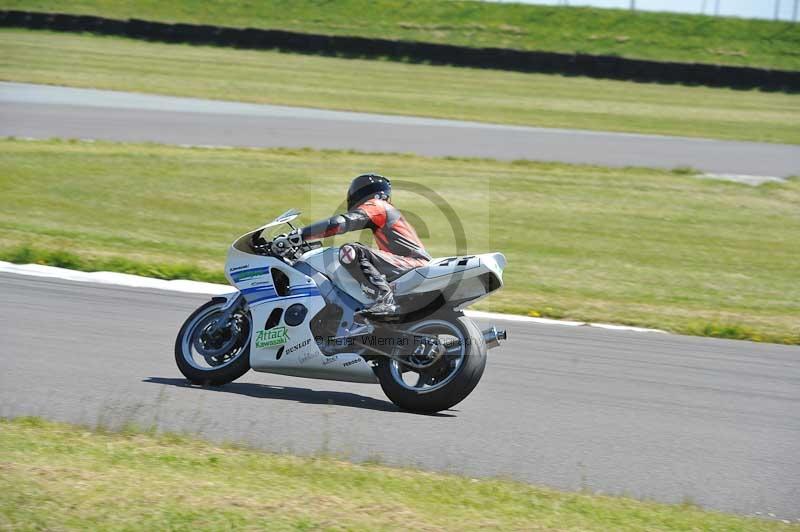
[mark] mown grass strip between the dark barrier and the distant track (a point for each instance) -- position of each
(397, 88)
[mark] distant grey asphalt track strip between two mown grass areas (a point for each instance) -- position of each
(41, 111)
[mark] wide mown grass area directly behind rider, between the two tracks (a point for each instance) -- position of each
(634, 246)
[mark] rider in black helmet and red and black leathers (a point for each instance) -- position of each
(369, 205)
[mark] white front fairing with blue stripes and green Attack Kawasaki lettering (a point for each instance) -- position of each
(286, 349)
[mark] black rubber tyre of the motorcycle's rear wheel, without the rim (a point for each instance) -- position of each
(465, 378)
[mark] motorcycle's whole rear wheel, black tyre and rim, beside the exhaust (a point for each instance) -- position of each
(448, 381)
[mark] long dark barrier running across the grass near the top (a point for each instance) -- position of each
(595, 66)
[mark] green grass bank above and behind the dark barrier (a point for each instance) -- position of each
(660, 36)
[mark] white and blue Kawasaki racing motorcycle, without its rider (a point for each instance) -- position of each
(295, 311)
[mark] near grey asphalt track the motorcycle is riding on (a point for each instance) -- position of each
(656, 416)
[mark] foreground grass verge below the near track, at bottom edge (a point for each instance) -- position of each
(57, 476)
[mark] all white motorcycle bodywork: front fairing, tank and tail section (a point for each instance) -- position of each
(292, 349)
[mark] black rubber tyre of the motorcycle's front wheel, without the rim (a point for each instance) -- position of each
(212, 376)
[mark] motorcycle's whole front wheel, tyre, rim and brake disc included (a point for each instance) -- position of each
(211, 353)
